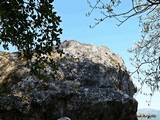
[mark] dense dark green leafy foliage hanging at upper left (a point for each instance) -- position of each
(33, 27)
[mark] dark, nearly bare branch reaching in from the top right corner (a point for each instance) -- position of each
(111, 14)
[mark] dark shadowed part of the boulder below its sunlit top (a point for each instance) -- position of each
(82, 90)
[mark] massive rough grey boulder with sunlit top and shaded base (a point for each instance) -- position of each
(92, 83)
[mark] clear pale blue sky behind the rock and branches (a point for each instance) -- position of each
(75, 26)
